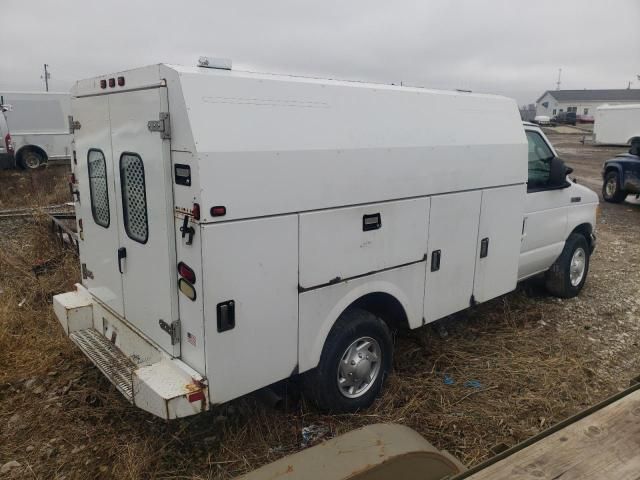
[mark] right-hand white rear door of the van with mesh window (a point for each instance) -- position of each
(142, 170)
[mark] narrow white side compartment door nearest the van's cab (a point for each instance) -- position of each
(501, 215)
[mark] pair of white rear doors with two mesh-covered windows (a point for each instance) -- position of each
(124, 178)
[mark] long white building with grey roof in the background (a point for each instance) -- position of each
(583, 102)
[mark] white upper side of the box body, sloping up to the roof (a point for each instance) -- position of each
(316, 144)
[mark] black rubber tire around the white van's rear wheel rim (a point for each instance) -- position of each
(321, 384)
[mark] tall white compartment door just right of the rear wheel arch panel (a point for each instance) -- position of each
(453, 230)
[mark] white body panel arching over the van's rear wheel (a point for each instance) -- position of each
(320, 308)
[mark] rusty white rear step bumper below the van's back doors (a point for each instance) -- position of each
(146, 376)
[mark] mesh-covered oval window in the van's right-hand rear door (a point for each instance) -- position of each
(134, 197)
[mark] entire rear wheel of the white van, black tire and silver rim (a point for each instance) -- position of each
(355, 361)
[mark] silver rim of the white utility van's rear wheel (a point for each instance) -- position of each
(359, 367)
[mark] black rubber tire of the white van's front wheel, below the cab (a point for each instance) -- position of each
(558, 278)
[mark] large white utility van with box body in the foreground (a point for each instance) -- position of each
(238, 229)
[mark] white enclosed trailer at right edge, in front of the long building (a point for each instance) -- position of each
(616, 124)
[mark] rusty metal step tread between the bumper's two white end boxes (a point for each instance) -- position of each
(108, 358)
